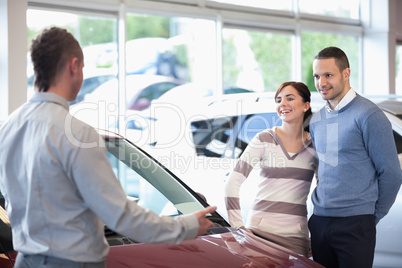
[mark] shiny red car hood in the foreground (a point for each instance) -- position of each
(230, 249)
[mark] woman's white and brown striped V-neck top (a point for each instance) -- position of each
(279, 211)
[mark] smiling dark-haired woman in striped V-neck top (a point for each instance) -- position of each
(283, 184)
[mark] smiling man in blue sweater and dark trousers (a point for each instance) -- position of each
(358, 170)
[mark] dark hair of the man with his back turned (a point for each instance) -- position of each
(50, 52)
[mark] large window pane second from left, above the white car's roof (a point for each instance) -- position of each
(165, 52)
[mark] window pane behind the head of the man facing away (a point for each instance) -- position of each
(96, 35)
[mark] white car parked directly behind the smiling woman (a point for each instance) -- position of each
(200, 139)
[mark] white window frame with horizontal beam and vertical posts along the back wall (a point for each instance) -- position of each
(224, 15)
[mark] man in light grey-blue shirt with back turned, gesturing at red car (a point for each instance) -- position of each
(59, 195)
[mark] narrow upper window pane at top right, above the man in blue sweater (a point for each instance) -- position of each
(342, 8)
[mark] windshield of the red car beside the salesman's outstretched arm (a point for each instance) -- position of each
(150, 184)
